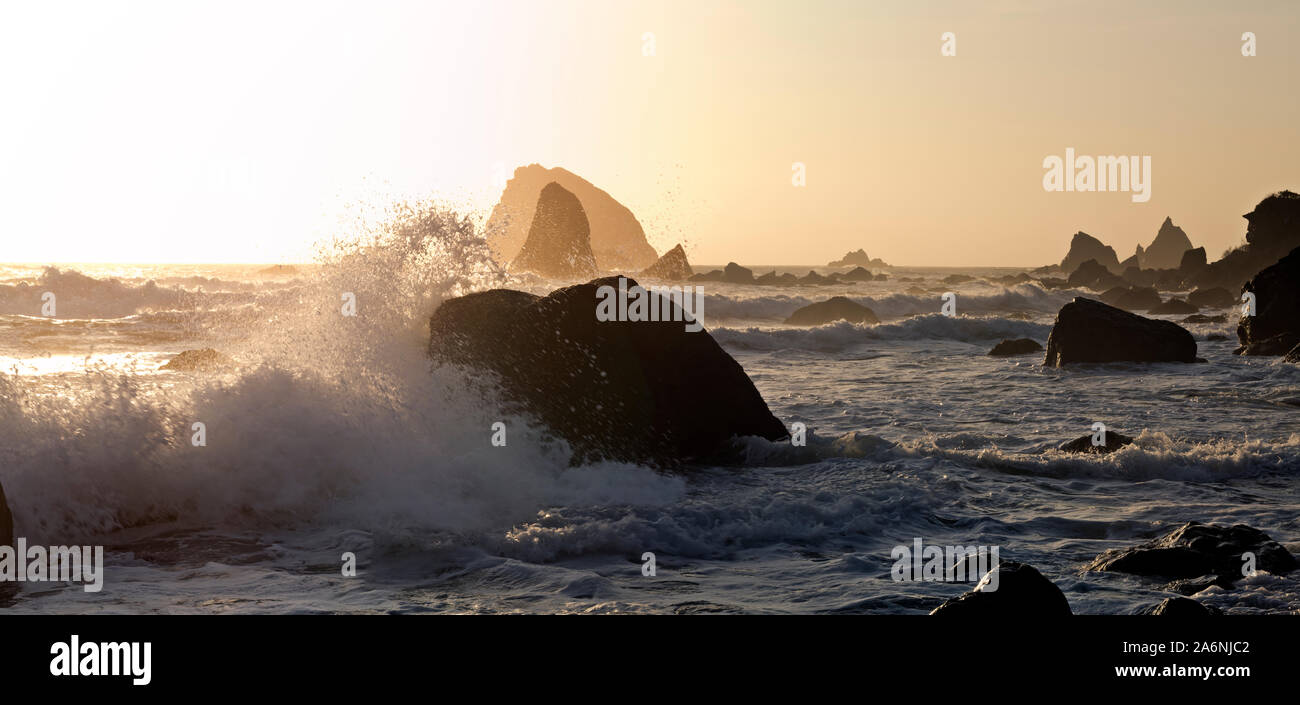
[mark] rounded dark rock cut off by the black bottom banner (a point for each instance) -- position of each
(1022, 592)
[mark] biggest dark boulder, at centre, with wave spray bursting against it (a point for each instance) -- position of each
(625, 391)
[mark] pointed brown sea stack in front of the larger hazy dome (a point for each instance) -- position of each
(558, 241)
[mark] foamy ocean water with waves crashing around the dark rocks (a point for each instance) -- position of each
(336, 435)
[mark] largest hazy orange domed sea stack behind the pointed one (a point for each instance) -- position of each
(618, 240)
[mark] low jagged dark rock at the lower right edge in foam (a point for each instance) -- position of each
(1195, 551)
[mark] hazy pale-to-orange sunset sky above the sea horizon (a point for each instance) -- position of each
(239, 132)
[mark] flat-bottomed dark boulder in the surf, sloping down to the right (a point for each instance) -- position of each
(1087, 331)
